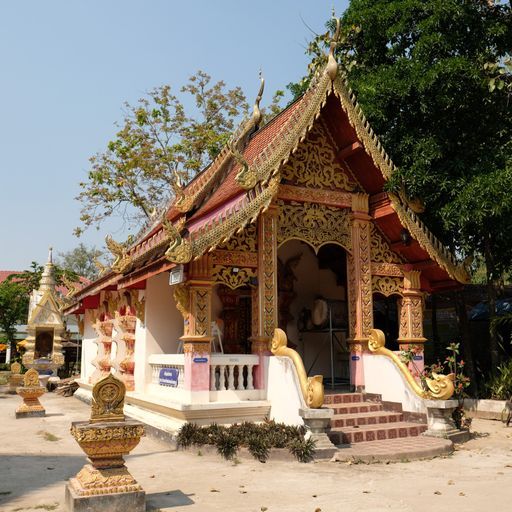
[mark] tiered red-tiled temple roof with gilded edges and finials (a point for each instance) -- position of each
(244, 179)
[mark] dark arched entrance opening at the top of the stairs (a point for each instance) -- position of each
(313, 311)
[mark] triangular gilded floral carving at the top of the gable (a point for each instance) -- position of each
(314, 164)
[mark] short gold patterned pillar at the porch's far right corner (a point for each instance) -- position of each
(411, 313)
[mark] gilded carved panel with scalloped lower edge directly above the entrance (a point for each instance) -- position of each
(315, 224)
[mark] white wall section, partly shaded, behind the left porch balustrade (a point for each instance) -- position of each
(162, 329)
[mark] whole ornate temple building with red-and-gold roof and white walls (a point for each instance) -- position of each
(291, 227)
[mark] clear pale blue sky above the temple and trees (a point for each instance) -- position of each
(67, 67)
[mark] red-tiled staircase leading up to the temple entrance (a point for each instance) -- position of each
(358, 420)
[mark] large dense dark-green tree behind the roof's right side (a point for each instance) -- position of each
(422, 76)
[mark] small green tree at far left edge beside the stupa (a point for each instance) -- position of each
(13, 310)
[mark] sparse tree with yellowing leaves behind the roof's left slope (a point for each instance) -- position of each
(157, 144)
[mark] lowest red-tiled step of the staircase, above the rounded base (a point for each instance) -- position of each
(401, 429)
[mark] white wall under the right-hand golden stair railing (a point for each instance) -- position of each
(382, 376)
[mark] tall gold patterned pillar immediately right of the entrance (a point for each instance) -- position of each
(360, 287)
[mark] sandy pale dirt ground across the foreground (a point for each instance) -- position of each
(38, 455)
